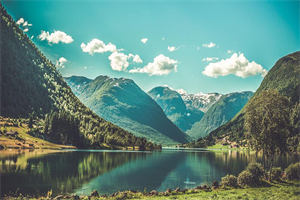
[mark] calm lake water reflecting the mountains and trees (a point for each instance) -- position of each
(107, 172)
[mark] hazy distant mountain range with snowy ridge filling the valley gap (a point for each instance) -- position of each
(186, 110)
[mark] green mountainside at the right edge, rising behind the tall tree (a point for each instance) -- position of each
(283, 77)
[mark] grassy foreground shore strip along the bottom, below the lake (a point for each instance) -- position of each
(278, 190)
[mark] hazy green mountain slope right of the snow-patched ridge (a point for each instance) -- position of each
(219, 113)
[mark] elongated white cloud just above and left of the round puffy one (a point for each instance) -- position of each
(97, 46)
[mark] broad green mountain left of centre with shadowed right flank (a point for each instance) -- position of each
(122, 102)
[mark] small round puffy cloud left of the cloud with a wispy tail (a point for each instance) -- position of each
(118, 61)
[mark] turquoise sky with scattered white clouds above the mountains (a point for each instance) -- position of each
(199, 46)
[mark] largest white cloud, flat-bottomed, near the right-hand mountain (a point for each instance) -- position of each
(237, 64)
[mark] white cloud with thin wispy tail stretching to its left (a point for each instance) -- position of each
(161, 65)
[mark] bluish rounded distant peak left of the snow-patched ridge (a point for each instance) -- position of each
(175, 108)
